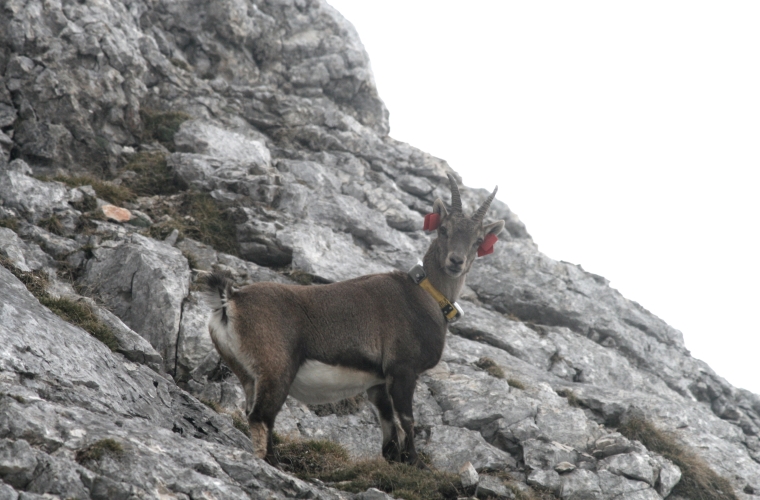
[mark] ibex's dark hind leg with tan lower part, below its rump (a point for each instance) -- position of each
(270, 395)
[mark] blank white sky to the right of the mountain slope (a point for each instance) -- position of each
(626, 135)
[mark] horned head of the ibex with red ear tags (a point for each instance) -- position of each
(459, 236)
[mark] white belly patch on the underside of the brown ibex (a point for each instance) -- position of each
(319, 383)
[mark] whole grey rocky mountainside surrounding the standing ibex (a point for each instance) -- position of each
(145, 141)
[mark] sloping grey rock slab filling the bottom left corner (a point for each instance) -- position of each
(171, 443)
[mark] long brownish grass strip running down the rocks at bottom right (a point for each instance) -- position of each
(698, 480)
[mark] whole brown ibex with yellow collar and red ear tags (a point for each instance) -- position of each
(375, 333)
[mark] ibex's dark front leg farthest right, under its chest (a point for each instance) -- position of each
(400, 387)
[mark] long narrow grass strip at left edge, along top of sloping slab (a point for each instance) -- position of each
(74, 312)
